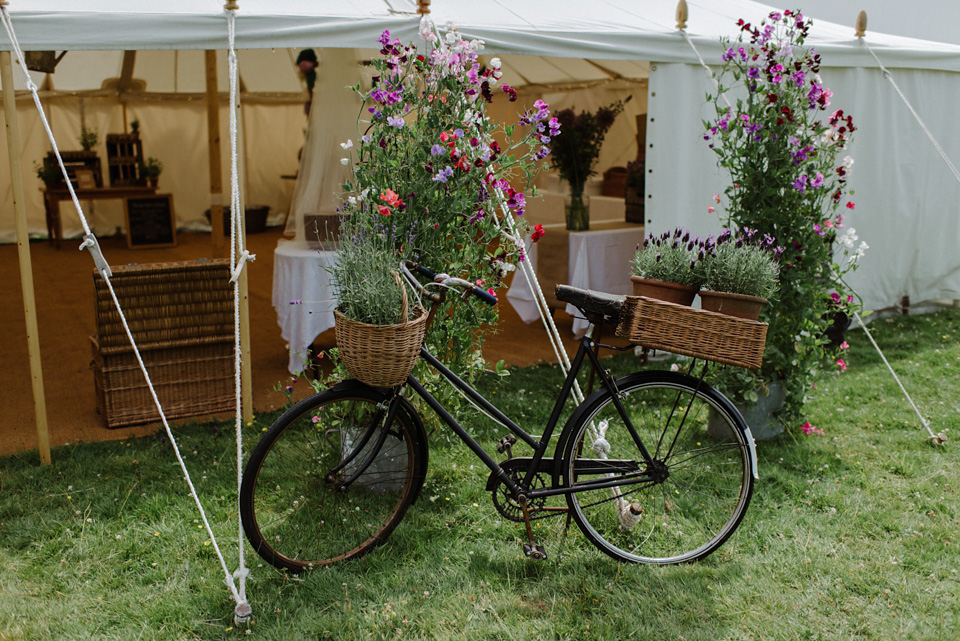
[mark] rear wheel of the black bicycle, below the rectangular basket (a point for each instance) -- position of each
(688, 499)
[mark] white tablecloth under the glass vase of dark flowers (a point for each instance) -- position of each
(597, 260)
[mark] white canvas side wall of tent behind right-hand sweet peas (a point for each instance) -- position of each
(906, 198)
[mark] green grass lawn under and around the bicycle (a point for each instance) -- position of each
(851, 534)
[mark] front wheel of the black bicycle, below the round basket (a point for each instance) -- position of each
(292, 512)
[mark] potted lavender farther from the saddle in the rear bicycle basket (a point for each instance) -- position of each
(740, 274)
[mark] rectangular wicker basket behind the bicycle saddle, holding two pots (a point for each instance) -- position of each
(692, 332)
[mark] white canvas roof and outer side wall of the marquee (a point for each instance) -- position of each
(906, 198)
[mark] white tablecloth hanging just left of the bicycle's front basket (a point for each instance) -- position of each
(303, 296)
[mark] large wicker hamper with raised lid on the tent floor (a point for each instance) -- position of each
(181, 316)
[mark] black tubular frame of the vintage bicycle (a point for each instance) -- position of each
(585, 350)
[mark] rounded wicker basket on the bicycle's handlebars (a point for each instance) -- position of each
(380, 355)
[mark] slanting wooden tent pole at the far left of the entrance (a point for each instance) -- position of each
(23, 251)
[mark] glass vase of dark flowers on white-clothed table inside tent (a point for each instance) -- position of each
(576, 149)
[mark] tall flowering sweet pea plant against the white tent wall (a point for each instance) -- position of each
(785, 151)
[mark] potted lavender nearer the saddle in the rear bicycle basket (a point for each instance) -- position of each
(668, 267)
